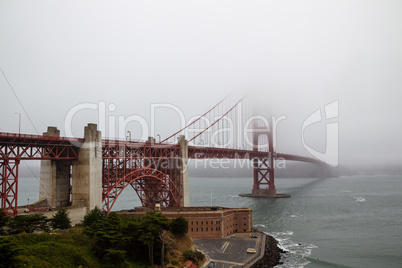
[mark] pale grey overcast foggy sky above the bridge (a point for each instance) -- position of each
(299, 56)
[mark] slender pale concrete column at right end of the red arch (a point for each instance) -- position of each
(184, 192)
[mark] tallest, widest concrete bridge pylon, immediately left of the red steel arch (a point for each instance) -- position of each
(87, 170)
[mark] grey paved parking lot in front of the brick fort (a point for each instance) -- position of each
(230, 251)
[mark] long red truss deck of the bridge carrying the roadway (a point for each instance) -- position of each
(26, 147)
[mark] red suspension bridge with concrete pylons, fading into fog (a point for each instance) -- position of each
(93, 171)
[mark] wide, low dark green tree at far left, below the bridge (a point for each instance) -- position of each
(28, 223)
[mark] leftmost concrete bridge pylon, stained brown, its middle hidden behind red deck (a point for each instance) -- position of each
(54, 178)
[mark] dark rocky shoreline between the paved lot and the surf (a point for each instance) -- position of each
(272, 254)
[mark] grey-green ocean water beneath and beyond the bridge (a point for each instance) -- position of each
(338, 222)
